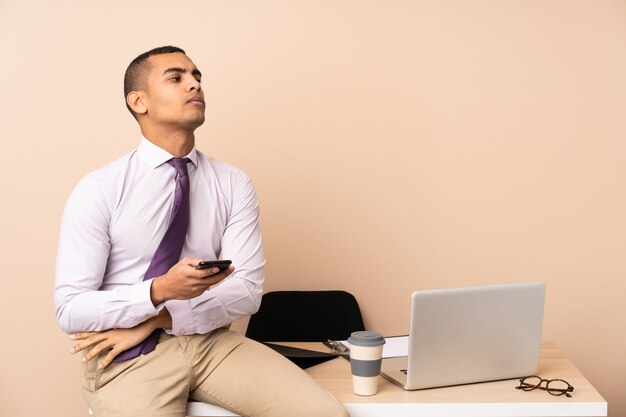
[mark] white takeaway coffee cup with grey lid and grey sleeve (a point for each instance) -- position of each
(366, 352)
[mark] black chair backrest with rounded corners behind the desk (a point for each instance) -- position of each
(305, 316)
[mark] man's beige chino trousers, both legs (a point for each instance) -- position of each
(222, 368)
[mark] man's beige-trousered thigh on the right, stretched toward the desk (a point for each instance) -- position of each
(255, 381)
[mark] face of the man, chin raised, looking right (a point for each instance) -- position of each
(172, 93)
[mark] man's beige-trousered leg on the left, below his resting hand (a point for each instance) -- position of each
(155, 385)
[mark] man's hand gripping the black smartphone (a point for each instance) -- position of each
(183, 281)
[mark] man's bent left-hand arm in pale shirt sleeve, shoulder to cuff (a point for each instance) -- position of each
(83, 252)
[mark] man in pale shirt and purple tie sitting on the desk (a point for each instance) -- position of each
(152, 327)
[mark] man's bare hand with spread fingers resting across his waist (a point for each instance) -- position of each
(118, 340)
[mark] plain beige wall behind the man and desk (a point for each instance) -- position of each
(395, 146)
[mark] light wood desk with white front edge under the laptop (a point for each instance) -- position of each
(491, 399)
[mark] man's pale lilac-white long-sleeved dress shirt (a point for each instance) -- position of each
(113, 223)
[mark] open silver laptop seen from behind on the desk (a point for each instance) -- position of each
(467, 335)
